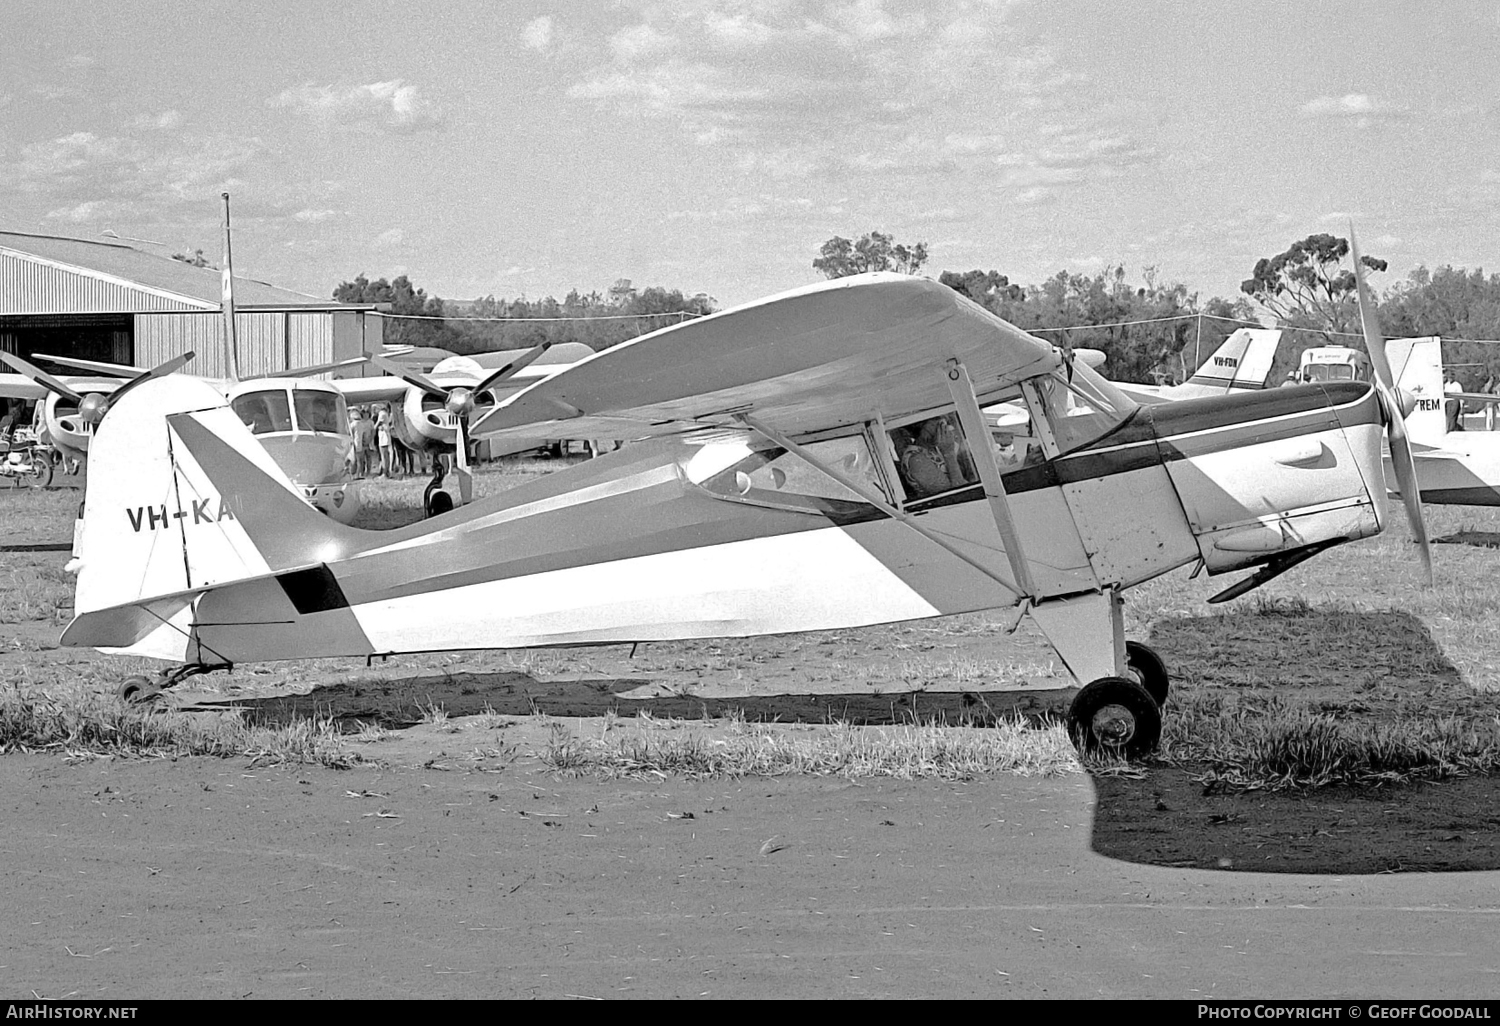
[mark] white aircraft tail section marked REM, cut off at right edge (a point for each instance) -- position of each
(1453, 467)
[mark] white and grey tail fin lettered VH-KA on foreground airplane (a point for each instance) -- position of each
(181, 499)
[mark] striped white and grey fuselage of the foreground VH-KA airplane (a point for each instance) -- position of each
(652, 544)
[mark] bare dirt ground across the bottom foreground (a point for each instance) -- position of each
(208, 878)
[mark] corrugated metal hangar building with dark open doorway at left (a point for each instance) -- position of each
(107, 301)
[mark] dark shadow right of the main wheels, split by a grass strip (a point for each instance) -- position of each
(1349, 665)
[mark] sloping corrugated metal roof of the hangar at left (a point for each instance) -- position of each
(122, 266)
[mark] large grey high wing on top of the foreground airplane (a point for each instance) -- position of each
(806, 361)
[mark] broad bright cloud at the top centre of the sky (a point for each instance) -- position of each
(755, 74)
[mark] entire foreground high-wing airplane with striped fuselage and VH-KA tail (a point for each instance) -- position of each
(775, 493)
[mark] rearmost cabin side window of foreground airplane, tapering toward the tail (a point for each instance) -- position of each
(779, 478)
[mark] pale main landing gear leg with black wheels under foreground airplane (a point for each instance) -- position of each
(1120, 710)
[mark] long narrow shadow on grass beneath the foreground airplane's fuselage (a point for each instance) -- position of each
(404, 701)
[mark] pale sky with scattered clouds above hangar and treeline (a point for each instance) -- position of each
(523, 148)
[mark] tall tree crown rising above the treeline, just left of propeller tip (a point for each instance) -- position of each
(1307, 286)
